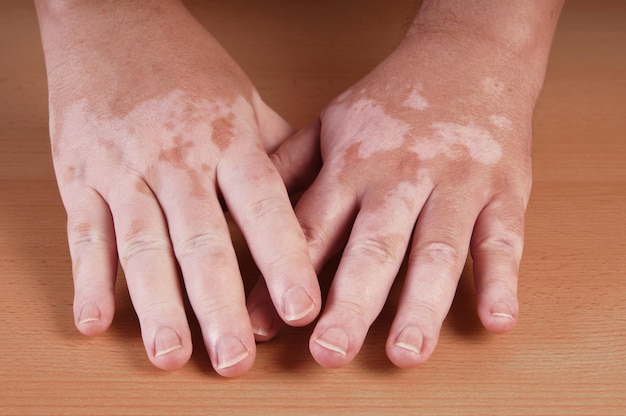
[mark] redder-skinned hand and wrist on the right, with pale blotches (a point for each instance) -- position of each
(428, 156)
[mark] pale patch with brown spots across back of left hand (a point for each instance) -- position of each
(156, 135)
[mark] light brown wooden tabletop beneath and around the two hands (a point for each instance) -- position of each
(567, 354)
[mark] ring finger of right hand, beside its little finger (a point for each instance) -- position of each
(437, 257)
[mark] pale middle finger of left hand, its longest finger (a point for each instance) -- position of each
(204, 250)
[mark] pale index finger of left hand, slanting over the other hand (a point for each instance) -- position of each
(258, 201)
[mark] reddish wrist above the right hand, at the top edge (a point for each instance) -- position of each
(515, 36)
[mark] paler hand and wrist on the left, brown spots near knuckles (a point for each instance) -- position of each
(150, 121)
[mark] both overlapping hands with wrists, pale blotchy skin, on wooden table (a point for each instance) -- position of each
(152, 122)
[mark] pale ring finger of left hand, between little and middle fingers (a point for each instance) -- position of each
(153, 283)
